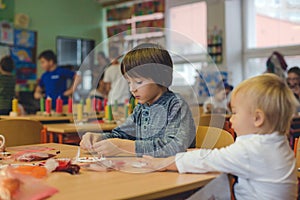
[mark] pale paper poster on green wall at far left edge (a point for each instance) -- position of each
(6, 33)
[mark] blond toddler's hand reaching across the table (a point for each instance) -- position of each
(159, 164)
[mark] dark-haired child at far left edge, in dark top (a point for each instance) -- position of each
(7, 84)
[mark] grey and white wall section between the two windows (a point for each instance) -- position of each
(227, 16)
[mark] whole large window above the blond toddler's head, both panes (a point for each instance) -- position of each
(265, 32)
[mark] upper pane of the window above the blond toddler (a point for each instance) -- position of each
(280, 26)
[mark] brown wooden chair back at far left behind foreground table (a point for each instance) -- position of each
(20, 131)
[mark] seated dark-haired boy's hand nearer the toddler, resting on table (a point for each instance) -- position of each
(108, 147)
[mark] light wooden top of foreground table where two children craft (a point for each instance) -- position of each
(120, 185)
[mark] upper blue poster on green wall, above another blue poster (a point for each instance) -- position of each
(24, 38)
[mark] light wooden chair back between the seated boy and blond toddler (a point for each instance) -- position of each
(211, 137)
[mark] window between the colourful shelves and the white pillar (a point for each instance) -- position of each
(187, 21)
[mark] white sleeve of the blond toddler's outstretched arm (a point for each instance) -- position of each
(232, 159)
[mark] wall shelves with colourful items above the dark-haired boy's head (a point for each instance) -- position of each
(134, 23)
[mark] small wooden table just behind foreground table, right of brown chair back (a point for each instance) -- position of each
(67, 129)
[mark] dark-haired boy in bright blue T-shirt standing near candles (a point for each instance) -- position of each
(54, 81)
